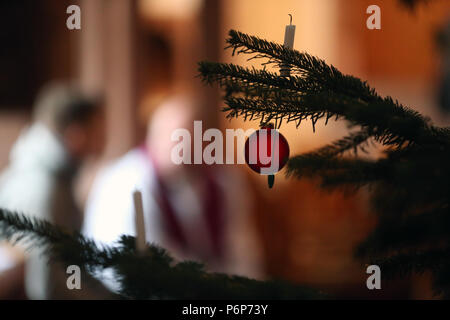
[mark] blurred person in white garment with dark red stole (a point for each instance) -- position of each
(194, 211)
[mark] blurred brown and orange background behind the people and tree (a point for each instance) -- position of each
(135, 50)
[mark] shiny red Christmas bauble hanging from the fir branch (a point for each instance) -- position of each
(266, 151)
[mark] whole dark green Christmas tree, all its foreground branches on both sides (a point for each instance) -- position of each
(409, 182)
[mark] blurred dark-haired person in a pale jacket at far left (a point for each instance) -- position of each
(67, 127)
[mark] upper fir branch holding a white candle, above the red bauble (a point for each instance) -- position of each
(320, 87)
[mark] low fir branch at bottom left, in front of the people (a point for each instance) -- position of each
(148, 275)
